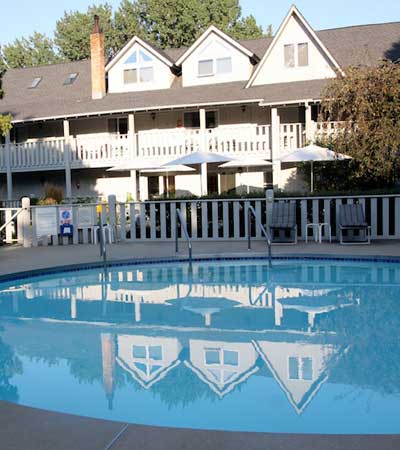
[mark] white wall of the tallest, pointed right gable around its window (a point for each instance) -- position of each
(274, 70)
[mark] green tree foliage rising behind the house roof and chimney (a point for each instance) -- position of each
(165, 23)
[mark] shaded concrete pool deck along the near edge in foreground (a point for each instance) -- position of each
(23, 428)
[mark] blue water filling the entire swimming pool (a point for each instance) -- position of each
(306, 346)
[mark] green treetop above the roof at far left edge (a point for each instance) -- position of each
(36, 50)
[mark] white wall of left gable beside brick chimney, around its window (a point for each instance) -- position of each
(163, 76)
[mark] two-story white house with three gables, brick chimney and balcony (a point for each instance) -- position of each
(72, 122)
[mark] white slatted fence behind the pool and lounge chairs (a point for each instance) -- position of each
(214, 220)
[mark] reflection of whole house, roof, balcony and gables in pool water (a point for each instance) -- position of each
(222, 325)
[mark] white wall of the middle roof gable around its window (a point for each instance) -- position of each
(211, 47)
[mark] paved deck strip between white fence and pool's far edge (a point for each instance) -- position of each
(18, 259)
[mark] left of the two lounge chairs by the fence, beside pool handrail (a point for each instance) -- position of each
(283, 223)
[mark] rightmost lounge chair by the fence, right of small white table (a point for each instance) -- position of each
(351, 219)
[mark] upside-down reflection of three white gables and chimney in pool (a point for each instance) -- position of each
(299, 368)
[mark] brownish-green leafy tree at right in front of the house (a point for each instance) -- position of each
(367, 101)
